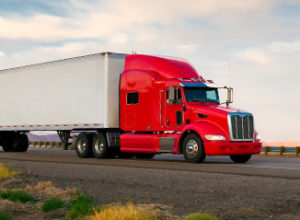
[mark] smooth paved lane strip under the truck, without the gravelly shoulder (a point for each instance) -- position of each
(269, 166)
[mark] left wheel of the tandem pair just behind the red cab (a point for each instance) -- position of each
(83, 145)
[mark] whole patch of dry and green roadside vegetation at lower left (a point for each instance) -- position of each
(45, 201)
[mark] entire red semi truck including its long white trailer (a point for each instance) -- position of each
(126, 104)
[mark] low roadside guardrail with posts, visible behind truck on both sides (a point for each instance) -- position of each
(266, 150)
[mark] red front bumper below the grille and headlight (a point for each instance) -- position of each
(231, 148)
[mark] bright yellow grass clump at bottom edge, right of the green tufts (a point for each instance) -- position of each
(123, 212)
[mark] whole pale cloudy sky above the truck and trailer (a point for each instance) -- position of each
(253, 46)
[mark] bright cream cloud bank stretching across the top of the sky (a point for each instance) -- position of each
(93, 21)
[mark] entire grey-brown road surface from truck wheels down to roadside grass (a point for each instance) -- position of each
(263, 188)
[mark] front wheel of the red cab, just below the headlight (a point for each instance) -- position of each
(192, 148)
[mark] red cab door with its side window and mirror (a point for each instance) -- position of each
(174, 116)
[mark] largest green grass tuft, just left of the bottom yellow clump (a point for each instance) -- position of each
(81, 205)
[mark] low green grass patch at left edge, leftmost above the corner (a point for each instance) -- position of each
(17, 196)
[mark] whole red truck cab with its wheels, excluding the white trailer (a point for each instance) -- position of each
(166, 106)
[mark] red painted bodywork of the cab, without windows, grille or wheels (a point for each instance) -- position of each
(151, 77)
